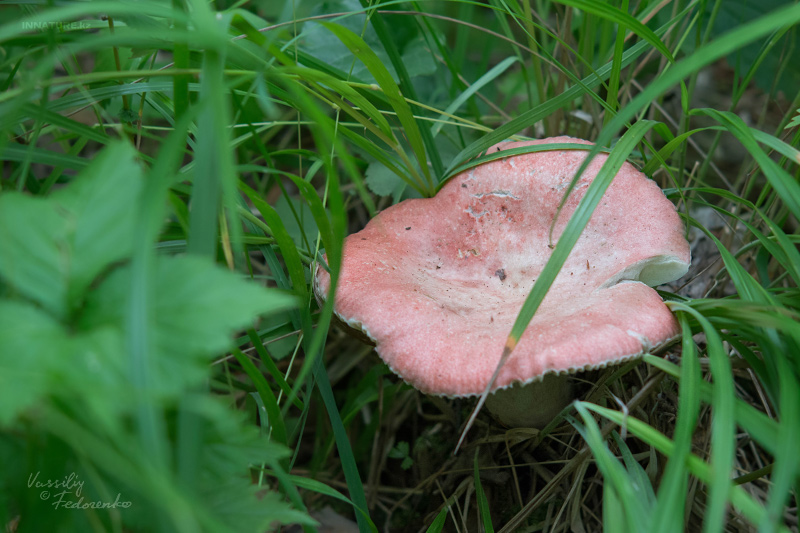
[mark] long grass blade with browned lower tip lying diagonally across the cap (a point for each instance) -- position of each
(569, 237)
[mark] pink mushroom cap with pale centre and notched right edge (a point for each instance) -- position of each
(439, 299)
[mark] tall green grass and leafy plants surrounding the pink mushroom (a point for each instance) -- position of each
(157, 154)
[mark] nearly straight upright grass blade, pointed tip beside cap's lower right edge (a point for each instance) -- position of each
(668, 514)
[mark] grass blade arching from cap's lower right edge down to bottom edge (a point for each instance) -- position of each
(723, 424)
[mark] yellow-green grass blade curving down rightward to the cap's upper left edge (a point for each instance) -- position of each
(362, 51)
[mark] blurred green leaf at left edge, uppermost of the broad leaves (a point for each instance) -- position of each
(54, 248)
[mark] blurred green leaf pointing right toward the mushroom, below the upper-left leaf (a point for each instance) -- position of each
(196, 307)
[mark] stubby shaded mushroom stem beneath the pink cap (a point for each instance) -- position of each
(532, 405)
